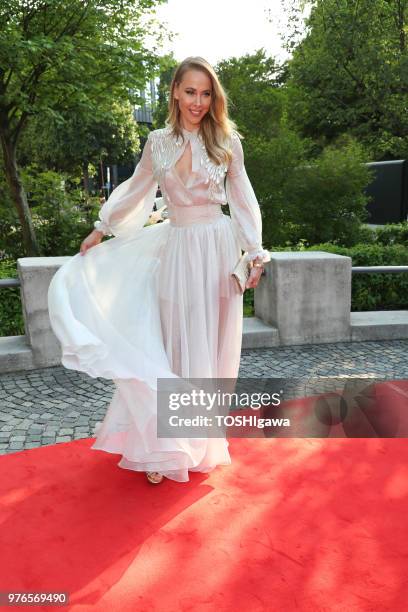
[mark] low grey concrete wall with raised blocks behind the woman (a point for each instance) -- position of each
(304, 297)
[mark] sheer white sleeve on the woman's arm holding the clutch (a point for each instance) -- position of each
(244, 207)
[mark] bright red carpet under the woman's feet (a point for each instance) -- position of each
(292, 524)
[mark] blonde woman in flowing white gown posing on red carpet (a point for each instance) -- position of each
(159, 300)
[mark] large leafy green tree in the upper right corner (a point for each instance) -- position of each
(350, 75)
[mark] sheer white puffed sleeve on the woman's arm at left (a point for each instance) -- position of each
(130, 204)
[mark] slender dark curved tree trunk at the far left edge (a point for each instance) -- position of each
(18, 195)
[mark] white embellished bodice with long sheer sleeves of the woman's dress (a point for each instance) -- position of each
(197, 200)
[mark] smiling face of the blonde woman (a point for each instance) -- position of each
(194, 95)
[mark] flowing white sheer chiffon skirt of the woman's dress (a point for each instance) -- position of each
(161, 304)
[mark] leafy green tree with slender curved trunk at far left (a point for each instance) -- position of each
(61, 57)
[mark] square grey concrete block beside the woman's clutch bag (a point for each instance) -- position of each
(307, 296)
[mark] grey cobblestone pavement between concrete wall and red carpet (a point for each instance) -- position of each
(50, 405)
